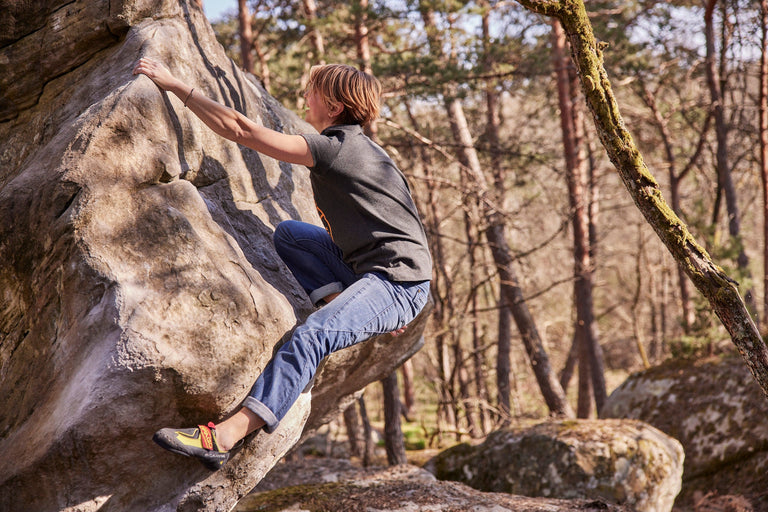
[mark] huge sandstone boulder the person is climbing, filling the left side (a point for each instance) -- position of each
(140, 287)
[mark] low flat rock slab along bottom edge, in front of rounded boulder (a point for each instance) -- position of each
(332, 485)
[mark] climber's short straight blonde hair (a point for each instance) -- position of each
(357, 91)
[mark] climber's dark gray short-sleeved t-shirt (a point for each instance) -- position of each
(366, 206)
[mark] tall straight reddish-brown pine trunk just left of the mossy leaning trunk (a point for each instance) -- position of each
(591, 366)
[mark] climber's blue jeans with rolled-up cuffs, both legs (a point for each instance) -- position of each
(368, 305)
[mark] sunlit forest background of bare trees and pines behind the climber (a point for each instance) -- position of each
(549, 285)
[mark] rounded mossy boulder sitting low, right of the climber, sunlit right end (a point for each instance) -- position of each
(627, 462)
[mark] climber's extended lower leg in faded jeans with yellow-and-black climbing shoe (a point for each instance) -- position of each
(371, 306)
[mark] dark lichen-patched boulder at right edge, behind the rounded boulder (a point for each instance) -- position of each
(716, 410)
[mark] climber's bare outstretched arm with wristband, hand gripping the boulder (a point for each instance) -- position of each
(228, 122)
